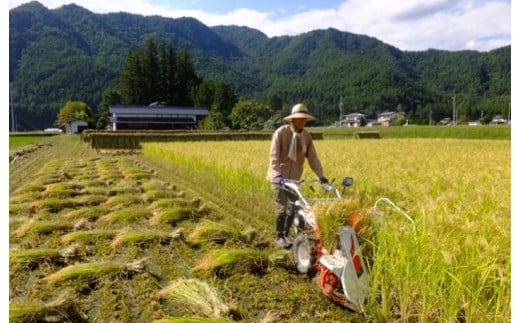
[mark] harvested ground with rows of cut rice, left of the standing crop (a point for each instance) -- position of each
(110, 258)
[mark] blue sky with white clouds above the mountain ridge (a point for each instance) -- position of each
(406, 24)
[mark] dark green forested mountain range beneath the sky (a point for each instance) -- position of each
(70, 53)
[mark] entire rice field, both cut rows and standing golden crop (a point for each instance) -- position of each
(183, 232)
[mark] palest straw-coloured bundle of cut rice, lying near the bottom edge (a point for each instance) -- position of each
(196, 296)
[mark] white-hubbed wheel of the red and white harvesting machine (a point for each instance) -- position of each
(305, 253)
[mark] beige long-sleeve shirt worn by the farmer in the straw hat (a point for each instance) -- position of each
(279, 161)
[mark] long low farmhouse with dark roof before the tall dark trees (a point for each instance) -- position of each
(154, 116)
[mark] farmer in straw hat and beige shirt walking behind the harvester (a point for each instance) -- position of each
(290, 145)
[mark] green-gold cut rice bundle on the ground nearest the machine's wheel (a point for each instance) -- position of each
(230, 261)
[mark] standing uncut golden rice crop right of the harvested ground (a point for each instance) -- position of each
(455, 266)
